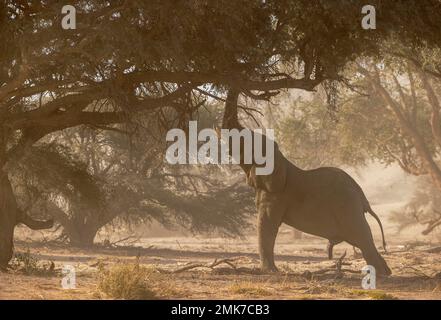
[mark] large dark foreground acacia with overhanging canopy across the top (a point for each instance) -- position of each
(143, 56)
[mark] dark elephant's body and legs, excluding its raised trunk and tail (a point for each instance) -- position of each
(325, 202)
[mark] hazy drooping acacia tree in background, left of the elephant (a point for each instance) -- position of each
(87, 179)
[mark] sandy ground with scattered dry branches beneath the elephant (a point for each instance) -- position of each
(305, 272)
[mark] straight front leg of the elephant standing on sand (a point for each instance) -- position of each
(268, 224)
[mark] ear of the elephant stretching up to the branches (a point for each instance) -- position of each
(274, 182)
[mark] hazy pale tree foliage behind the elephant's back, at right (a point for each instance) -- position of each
(392, 117)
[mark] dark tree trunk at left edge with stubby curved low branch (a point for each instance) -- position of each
(10, 216)
